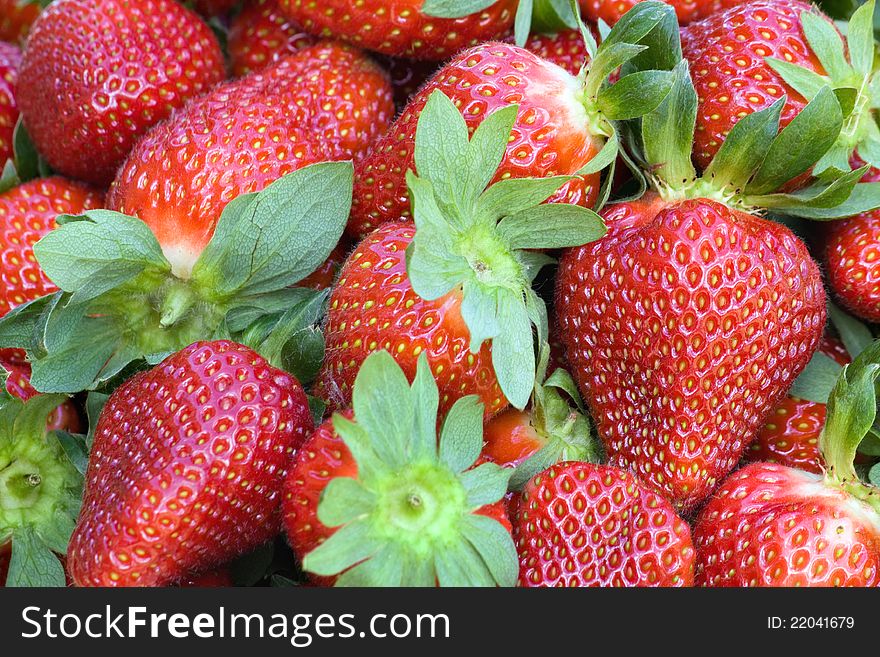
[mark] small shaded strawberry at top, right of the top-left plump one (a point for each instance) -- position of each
(261, 35)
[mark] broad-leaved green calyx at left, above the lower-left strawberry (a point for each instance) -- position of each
(120, 300)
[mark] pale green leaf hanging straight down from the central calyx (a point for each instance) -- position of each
(513, 353)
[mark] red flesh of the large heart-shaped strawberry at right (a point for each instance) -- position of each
(664, 329)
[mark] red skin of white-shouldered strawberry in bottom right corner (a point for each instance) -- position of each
(769, 525)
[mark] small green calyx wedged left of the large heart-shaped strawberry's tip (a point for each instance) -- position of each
(564, 431)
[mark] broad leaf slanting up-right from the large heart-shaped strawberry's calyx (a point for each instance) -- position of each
(800, 144)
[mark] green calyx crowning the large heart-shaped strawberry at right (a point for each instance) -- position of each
(755, 160)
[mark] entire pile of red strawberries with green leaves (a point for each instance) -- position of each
(439, 293)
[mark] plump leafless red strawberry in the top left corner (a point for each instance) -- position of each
(97, 74)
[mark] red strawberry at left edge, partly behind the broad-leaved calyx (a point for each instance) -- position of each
(27, 213)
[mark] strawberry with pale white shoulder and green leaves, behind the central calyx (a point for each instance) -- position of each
(562, 124)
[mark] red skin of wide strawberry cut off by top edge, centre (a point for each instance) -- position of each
(398, 27)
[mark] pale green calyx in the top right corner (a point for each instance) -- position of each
(849, 67)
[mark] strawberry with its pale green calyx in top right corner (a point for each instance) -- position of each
(746, 58)
